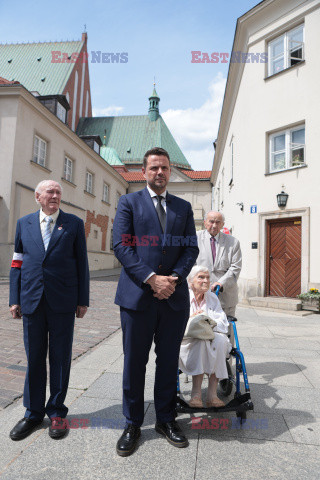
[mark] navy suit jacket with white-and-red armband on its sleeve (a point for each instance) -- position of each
(61, 272)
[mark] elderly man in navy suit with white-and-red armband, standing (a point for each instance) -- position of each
(49, 283)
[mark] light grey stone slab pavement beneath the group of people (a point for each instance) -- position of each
(280, 439)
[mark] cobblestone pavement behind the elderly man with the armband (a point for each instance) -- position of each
(101, 320)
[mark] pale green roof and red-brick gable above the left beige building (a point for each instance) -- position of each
(52, 68)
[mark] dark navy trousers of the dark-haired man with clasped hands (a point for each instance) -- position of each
(166, 327)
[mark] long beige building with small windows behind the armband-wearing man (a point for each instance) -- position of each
(35, 145)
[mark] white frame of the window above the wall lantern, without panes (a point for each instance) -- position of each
(287, 148)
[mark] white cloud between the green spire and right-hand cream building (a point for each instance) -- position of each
(195, 129)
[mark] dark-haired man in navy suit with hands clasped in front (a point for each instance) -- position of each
(155, 240)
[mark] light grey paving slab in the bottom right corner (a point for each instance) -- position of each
(249, 459)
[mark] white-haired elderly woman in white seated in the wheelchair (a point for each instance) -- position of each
(199, 356)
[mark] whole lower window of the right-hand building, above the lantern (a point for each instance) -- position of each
(287, 149)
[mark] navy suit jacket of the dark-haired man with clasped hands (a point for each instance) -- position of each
(142, 248)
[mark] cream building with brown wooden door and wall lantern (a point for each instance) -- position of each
(267, 143)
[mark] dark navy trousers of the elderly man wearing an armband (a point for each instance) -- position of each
(40, 329)
